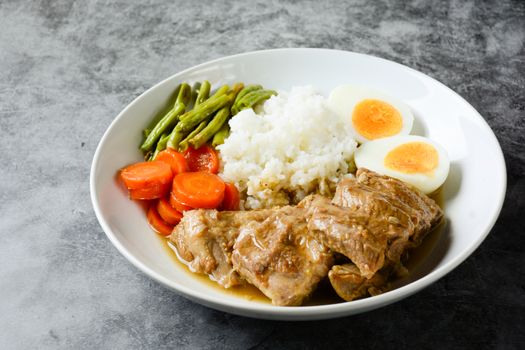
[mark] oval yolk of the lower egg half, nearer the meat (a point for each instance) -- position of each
(413, 157)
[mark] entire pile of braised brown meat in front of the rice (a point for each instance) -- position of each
(372, 220)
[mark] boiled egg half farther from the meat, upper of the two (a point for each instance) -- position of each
(372, 114)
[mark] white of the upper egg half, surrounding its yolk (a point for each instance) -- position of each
(344, 98)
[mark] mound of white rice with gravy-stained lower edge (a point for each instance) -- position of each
(295, 146)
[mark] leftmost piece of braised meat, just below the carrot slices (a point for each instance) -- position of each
(204, 240)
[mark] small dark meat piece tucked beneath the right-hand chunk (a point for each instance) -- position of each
(349, 284)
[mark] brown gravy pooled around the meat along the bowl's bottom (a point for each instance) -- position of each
(324, 293)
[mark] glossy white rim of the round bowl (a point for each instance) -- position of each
(318, 311)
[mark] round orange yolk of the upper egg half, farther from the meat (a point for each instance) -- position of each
(375, 119)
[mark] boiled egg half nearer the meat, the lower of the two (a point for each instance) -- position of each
(415, 160)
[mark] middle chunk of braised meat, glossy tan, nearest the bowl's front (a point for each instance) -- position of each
(280, 258)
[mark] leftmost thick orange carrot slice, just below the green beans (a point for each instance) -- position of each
(146, 174)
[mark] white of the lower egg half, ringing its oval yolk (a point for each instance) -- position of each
(371, 155)
